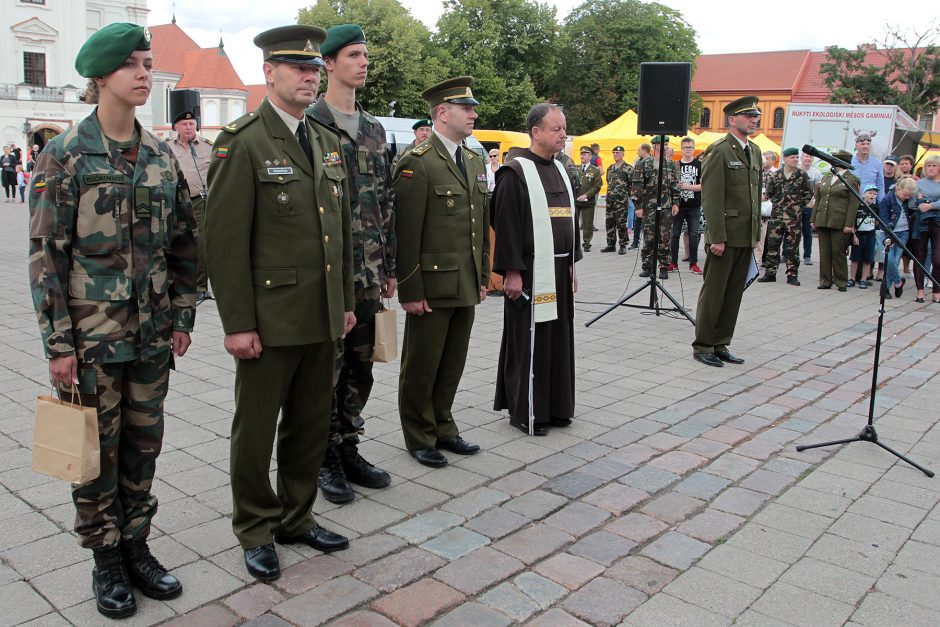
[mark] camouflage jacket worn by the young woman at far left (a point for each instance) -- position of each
(112, 255)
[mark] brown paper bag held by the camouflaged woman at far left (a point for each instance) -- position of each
(65, 440)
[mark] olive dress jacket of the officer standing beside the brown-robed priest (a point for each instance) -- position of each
(442, 226)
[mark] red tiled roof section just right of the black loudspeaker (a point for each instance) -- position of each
(749, 72)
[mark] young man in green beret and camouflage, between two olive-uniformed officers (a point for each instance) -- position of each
(371, 199)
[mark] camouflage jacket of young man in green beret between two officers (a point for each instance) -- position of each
(371, 196)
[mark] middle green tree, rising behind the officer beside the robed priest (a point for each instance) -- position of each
(510, 47)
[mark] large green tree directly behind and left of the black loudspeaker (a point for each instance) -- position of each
(598, 72)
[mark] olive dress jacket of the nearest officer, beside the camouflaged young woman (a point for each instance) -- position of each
(278, 239)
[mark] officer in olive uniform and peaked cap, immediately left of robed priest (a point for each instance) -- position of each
(443, 267)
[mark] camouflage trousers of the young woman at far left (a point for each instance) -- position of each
(129, 396)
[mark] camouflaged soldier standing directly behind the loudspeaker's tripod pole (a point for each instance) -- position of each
(645, 186)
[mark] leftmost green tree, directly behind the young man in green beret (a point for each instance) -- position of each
(401, 61)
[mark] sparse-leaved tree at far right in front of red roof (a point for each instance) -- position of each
(903, 70)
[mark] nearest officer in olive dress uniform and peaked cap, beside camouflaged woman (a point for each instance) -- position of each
(279, 248)
